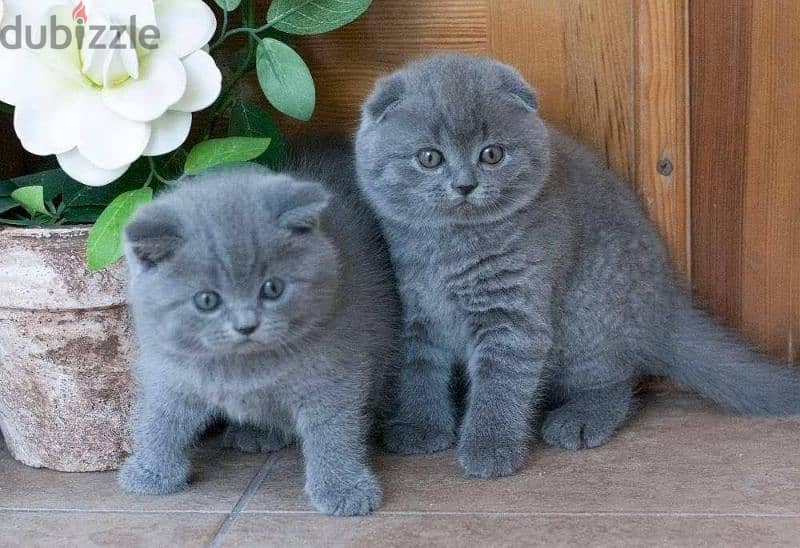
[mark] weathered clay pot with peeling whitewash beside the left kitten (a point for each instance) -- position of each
(65, 350)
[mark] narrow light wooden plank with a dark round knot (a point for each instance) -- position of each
(661, 116)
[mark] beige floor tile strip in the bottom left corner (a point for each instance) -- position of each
(84, 530)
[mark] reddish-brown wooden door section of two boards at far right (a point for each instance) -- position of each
(745, 124)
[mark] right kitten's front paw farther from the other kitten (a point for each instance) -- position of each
(490, 458)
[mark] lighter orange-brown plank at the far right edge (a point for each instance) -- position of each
(771, 213)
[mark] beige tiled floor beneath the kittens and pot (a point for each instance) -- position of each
(682, 473)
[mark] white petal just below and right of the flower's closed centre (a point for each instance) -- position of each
(161, 83)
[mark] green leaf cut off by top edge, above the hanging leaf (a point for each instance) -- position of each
(314, 16)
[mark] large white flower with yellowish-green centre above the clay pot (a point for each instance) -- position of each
(98, 108)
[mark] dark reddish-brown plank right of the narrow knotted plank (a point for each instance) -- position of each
(719, 37)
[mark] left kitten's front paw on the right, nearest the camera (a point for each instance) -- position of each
(348, 496)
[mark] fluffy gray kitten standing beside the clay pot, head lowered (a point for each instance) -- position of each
(268, 301)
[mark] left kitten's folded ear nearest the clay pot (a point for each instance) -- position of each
(153, 235)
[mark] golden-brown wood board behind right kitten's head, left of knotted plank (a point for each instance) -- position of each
(578, 55)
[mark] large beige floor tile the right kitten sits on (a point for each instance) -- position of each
(679, 455)
